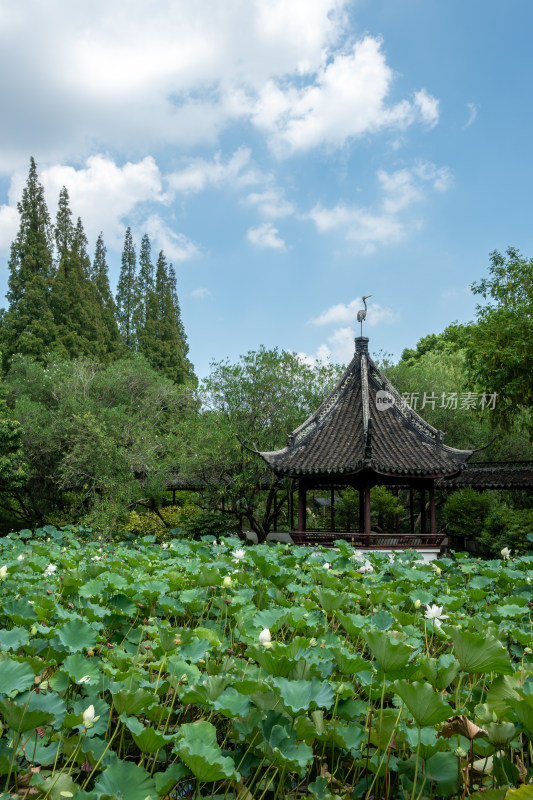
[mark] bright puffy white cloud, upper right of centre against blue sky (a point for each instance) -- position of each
(346, 98)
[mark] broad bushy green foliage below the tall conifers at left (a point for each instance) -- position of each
(99, 438)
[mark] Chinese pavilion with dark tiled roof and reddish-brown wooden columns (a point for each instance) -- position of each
(364, 435)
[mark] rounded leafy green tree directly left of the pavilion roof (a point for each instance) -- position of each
(261, 399)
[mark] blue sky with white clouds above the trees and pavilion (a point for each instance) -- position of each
(289, 156)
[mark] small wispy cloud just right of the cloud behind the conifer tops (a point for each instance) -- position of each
(200, 173)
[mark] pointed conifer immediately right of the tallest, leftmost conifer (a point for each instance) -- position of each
(74, 298)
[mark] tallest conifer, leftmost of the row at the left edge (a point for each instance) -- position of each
(28, 325)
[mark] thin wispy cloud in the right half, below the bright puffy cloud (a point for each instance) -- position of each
(388, 222)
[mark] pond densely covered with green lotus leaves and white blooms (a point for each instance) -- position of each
(199, 669)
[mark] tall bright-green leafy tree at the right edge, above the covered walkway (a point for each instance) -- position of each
(499, 351)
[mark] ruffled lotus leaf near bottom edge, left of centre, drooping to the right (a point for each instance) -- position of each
(197, 747)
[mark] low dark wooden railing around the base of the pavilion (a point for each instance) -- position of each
(372, 541)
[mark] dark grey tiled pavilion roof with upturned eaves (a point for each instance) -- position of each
(352, 430)
